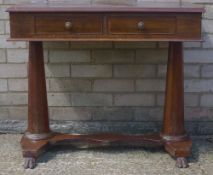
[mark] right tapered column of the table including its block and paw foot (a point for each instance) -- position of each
(177, 143)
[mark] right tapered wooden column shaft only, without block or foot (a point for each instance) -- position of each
(174, 100)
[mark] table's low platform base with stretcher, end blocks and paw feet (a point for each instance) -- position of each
(33, 148)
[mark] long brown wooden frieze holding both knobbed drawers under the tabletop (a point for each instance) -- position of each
(106, 26)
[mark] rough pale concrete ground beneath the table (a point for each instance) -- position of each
(110, 161)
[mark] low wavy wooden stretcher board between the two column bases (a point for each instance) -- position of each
(106, 139)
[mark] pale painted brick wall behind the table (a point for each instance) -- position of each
(107, 86)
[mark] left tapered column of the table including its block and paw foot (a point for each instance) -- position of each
(33, 142)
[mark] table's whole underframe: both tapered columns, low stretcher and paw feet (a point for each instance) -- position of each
(173, 137)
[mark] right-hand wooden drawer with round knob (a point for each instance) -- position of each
(143, 24)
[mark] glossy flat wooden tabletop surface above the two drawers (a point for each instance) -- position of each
(104, 6)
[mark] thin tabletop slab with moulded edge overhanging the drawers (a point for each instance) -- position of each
(138, 7)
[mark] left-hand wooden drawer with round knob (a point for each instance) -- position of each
(68, 24)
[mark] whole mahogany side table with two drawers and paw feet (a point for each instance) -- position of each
(75, 21)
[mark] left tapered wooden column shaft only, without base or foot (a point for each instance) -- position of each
(38, 121)
